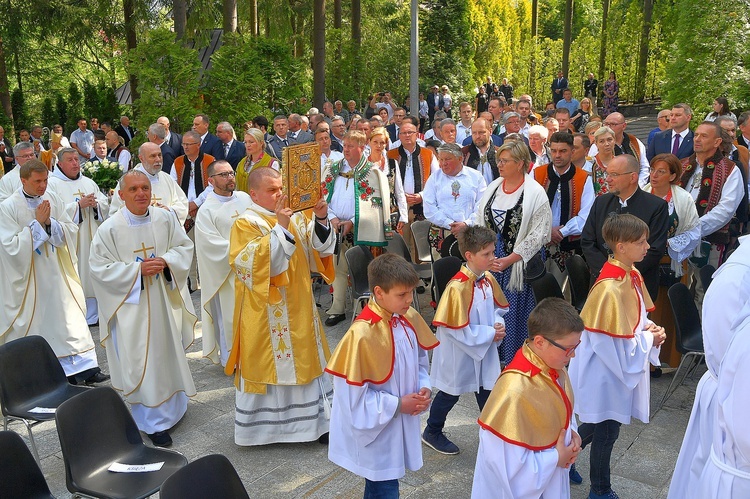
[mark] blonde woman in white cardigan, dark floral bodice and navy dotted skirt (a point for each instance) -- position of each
(516, 208)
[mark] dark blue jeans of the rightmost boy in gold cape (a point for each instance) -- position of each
(602, 437)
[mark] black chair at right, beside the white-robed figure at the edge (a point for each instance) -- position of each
(688, 333)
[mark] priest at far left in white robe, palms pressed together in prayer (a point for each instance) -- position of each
(41, 291)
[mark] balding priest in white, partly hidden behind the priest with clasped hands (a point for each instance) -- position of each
(165, 192)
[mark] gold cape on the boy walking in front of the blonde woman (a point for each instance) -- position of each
(455, 303)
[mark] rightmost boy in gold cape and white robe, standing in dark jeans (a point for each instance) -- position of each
(610, 373)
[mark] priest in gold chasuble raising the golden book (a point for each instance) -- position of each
(280, 349)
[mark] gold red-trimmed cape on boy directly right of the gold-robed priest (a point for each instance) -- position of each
(366, 353)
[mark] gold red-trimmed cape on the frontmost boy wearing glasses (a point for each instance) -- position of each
(527, 407)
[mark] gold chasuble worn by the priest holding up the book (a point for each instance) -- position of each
(268, 328)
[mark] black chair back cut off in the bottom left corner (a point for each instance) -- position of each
(20, 476)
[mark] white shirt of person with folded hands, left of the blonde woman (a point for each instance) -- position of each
(452, 199)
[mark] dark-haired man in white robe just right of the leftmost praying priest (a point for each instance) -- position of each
(87, 207)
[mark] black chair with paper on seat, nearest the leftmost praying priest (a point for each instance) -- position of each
(31, 378)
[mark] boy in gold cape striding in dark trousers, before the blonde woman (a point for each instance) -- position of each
(470, 327)
